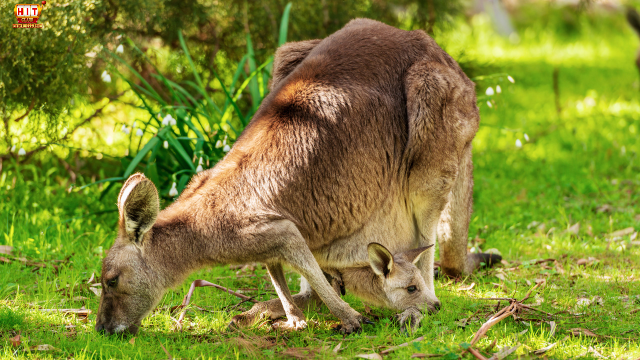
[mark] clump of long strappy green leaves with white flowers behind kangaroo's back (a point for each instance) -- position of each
(193, 130)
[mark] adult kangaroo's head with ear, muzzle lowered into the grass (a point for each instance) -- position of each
(130, 286)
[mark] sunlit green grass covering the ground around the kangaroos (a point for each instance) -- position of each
(580, 166)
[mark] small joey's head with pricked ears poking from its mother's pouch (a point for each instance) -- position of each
(402, 283)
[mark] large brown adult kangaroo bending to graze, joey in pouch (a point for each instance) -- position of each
(365, 138)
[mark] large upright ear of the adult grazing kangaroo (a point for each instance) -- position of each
(139, 205)
